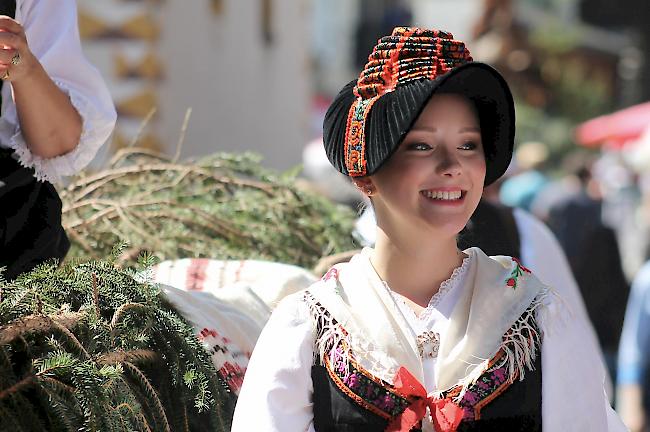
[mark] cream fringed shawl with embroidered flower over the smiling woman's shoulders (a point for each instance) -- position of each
(354, 305)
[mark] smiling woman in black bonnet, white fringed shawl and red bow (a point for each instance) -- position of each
(415, 334)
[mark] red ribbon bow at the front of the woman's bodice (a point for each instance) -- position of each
(446, 414)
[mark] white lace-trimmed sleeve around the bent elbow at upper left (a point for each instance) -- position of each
(53, 37)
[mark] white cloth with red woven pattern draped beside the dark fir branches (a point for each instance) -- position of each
(228, 303)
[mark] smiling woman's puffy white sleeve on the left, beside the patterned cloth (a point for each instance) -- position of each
(277, 389)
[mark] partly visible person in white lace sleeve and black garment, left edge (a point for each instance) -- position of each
(56, 113)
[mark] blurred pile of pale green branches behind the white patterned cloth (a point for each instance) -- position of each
(224, 206)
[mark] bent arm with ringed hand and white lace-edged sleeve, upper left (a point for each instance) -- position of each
(56, 109)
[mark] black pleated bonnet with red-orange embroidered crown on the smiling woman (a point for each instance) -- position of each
(369, 118)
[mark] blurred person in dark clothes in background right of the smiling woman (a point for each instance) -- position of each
(593, 253)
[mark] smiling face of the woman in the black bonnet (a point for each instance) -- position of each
(434, 180)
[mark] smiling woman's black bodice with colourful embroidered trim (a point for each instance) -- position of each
(352, 400)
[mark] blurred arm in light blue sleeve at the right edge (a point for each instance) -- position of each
(633, 353)
